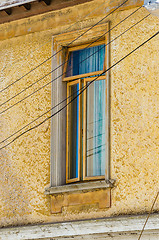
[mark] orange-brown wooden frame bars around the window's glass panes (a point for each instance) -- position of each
(72, 80)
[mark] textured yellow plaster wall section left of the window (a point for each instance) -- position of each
(25, 163)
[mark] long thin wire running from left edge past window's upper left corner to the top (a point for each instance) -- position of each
(66, 46)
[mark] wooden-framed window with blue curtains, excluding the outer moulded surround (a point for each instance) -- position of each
(85, 136)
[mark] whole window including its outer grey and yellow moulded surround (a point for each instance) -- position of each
(80, 133)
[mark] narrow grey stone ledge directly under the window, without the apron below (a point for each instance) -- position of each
(87, 186)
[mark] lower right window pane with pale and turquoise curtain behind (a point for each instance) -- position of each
(95, 129)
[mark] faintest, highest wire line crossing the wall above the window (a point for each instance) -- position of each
(56, 35)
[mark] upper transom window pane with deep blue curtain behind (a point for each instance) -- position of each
(86, 60)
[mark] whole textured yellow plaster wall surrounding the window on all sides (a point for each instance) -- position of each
(25, 164)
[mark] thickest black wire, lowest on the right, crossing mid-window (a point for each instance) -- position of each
(46, 119)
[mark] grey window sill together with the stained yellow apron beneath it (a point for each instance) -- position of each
(80, 195)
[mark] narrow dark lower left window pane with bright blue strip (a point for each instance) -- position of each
(73, 132)
